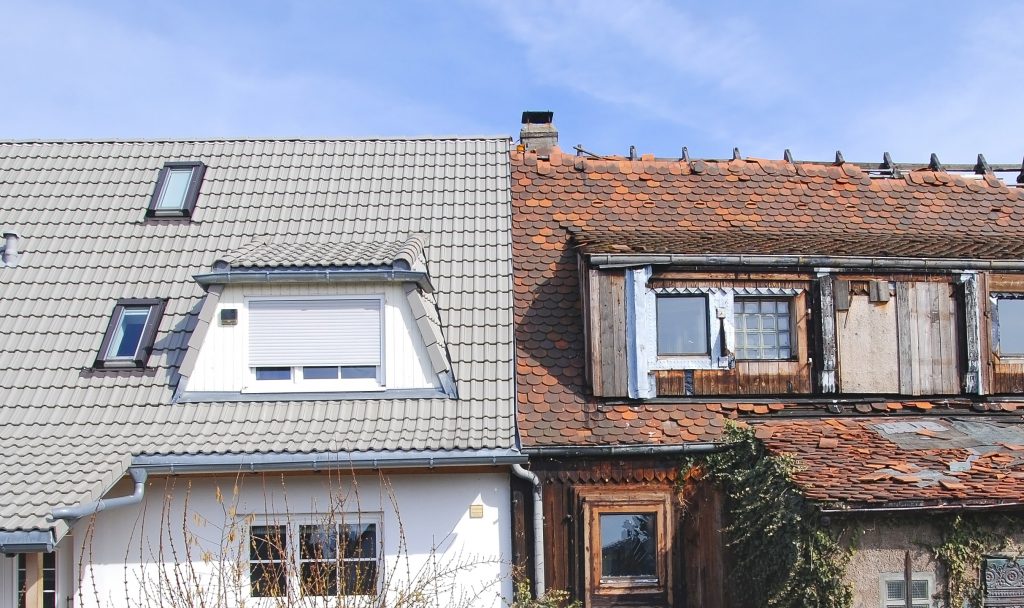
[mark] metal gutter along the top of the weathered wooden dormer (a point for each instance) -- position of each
(950, 265)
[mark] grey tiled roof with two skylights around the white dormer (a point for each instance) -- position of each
(68, 432)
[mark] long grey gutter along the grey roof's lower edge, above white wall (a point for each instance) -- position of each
(261, 463)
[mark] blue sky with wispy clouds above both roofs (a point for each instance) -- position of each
(864, 77)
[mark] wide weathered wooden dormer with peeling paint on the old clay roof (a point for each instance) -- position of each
(722, 314)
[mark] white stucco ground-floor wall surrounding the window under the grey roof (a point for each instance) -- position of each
(191, 534)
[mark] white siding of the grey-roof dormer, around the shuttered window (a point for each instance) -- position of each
(224, 364)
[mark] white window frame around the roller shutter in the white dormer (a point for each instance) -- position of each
(298, 384)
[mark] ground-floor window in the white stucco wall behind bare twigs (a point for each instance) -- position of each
(329, 560)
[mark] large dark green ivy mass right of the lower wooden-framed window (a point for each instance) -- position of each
(782, 555)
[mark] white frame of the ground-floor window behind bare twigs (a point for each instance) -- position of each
(293, 525)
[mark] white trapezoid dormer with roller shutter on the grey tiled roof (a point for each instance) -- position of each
(320, 320)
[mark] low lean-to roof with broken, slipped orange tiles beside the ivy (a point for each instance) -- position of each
(905, 462)
